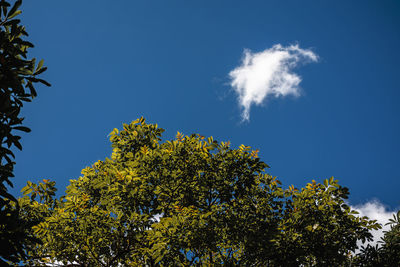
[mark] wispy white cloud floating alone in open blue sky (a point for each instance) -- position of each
(268, 73)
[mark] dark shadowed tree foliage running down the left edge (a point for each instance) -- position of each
(18, 74)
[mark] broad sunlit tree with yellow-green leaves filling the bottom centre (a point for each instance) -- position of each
(187, 201)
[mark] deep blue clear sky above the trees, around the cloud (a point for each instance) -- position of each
(111, 62)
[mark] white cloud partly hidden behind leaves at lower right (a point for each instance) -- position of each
(375, 210)
